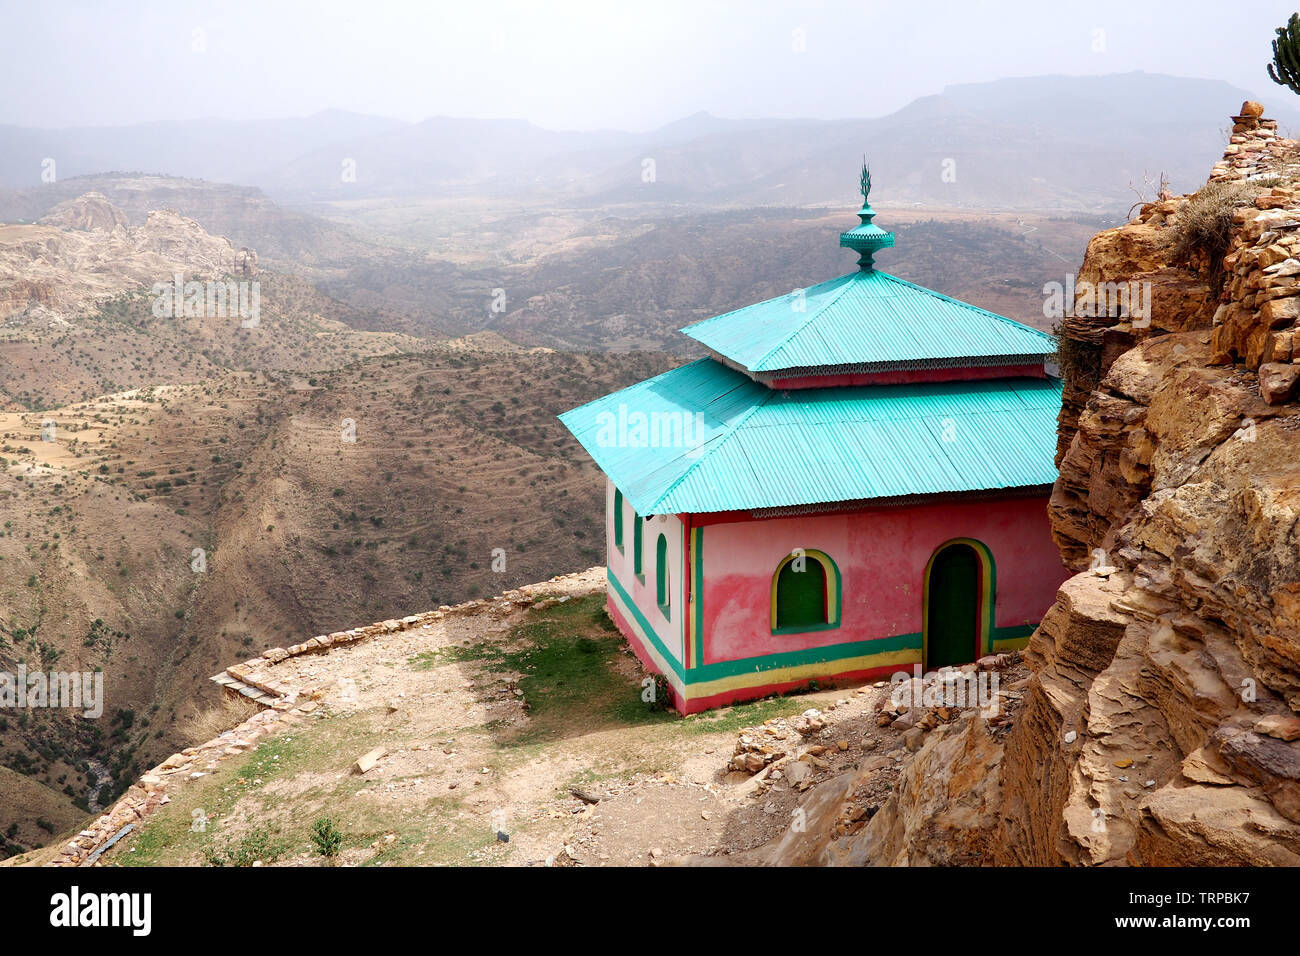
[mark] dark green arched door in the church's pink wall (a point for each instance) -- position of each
(959, 611)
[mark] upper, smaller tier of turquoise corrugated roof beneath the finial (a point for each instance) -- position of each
(866, 321)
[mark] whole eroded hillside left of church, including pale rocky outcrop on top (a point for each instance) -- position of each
(176, 491)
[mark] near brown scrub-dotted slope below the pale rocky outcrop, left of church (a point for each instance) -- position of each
(457, 453)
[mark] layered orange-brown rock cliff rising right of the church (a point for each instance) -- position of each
(1159, 726)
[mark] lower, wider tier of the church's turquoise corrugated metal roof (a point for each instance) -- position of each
(748, 447)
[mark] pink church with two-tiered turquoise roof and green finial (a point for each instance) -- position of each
(855, 481)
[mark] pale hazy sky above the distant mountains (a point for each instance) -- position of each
(630, 64)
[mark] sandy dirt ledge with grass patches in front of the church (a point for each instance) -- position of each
(514, 737)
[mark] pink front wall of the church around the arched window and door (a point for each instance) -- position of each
(882, 556)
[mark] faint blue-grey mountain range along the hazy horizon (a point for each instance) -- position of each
(1022, 144)
